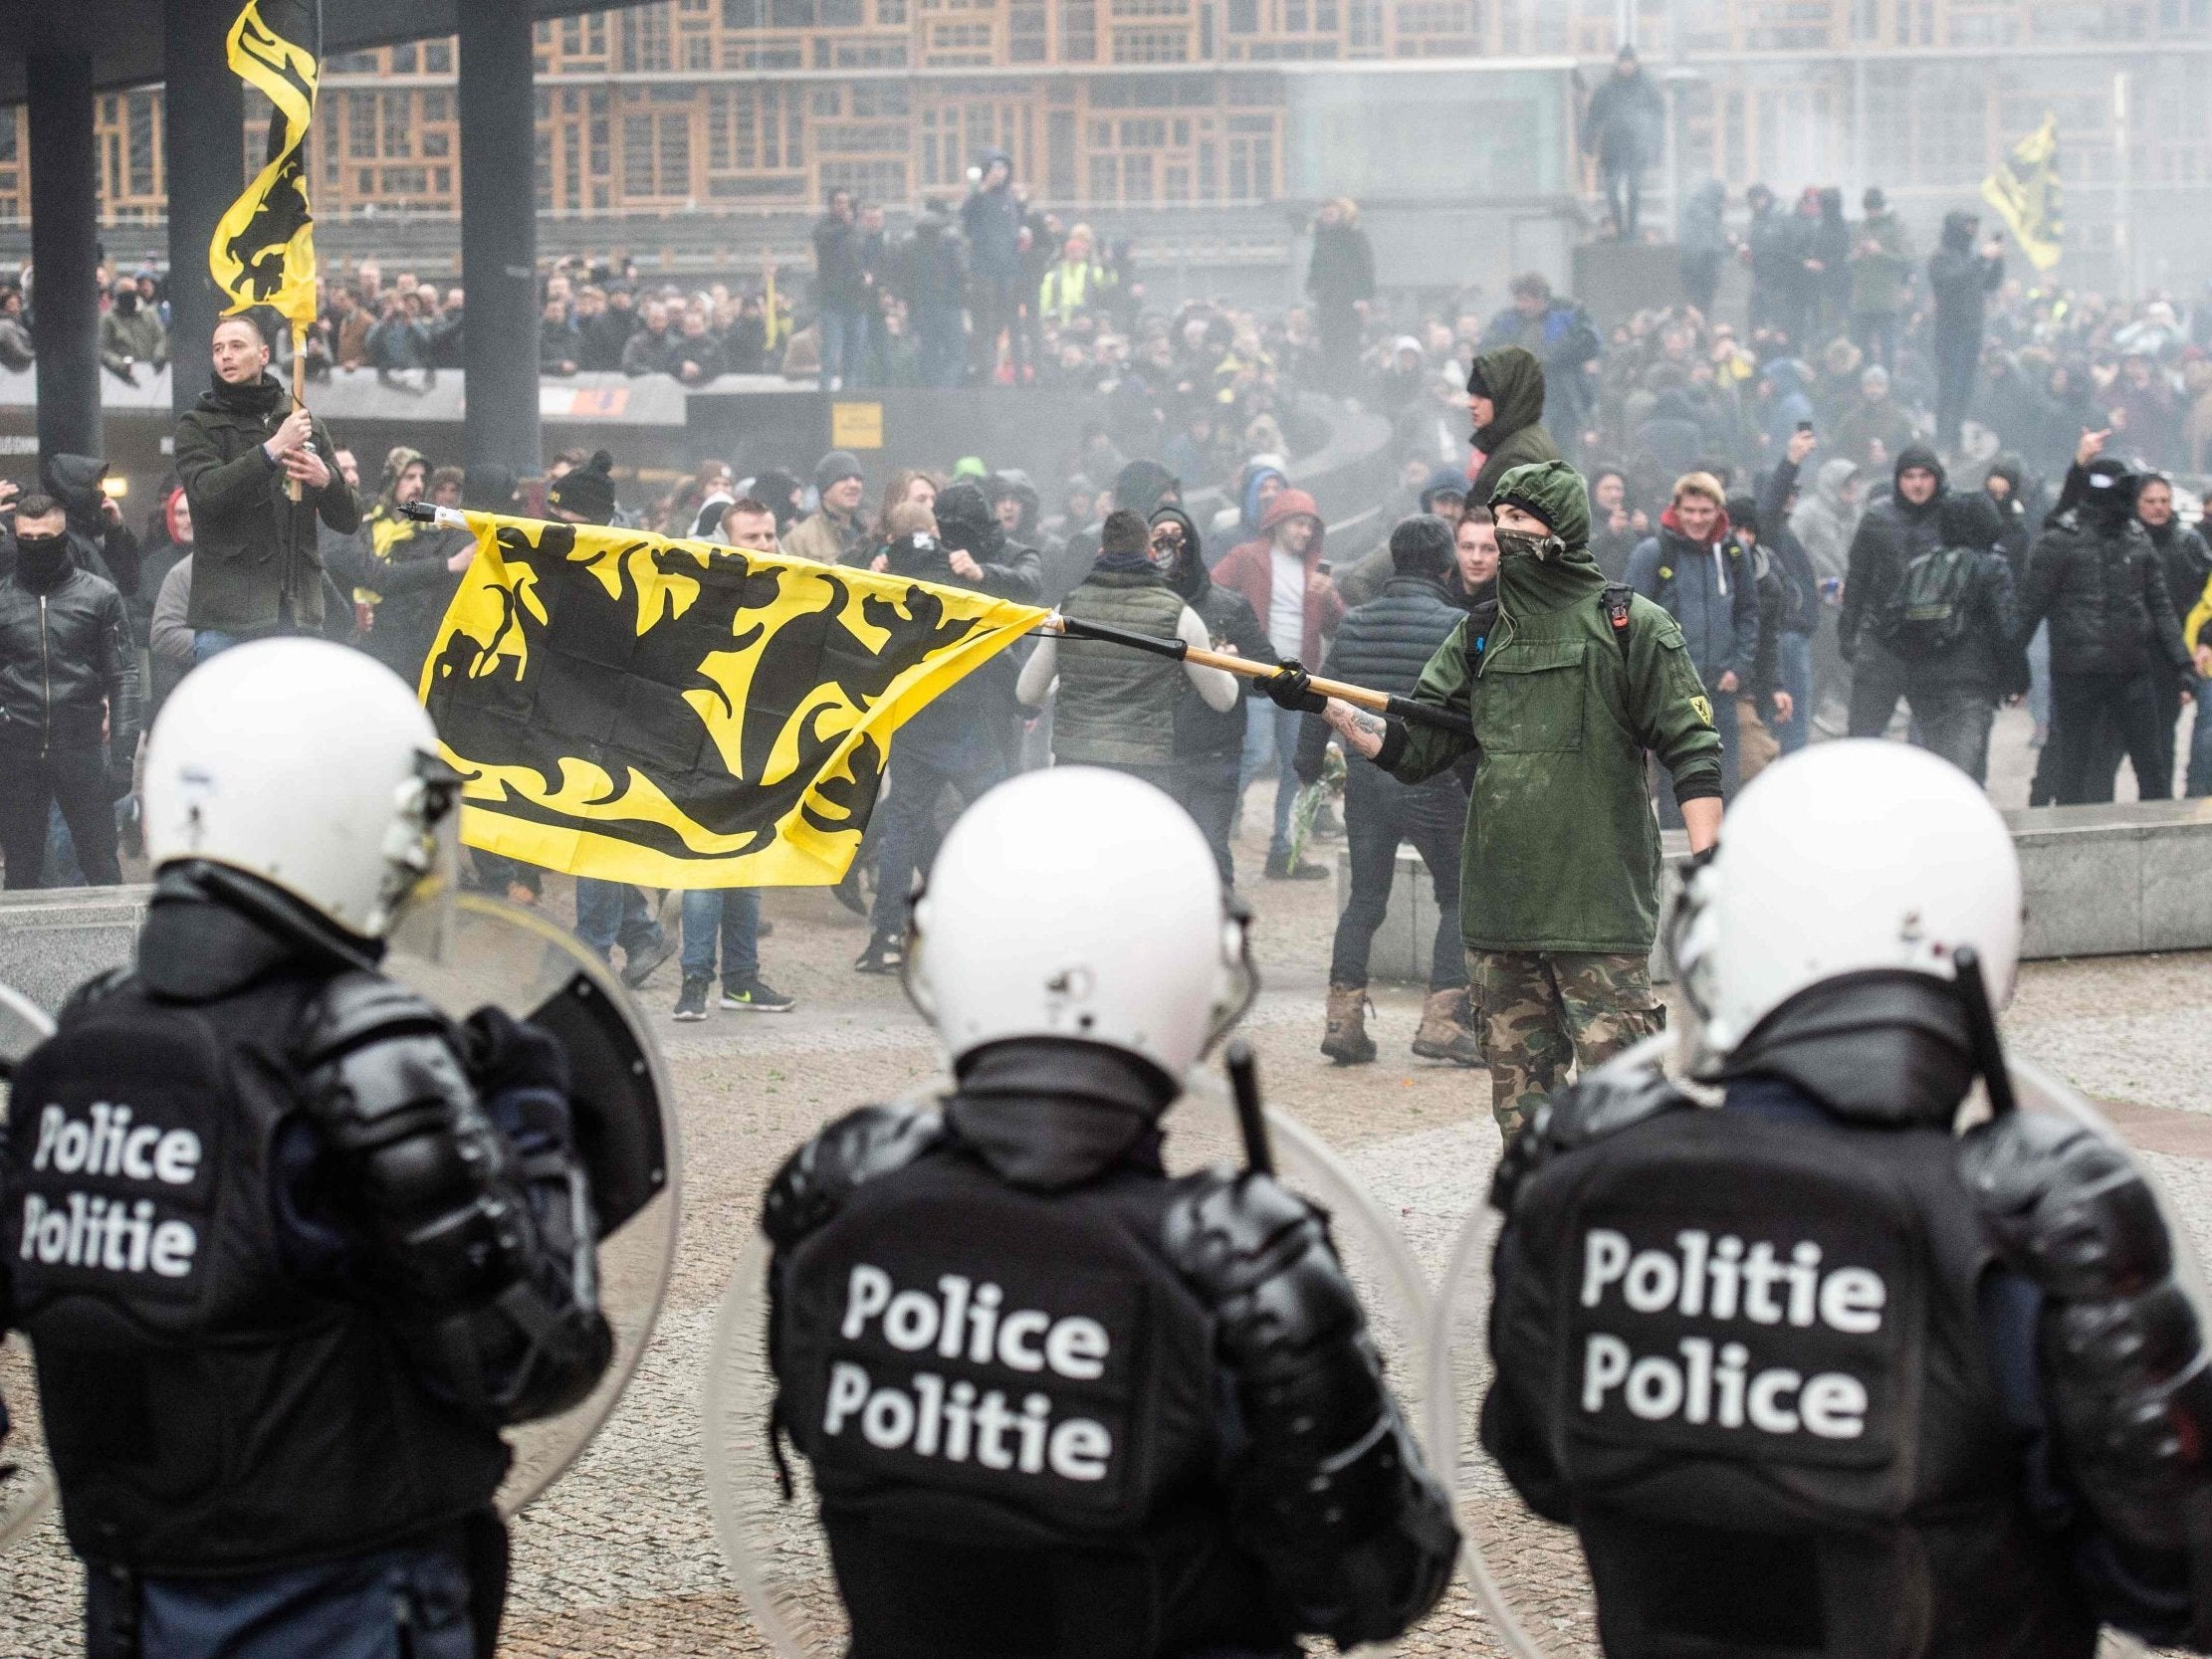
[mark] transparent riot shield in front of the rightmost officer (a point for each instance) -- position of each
(1527, 1574)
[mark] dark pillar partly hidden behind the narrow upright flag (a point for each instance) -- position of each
(205, 147)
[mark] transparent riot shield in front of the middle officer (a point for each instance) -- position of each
(775, 1547)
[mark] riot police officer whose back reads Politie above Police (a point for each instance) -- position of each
(1813, 1373)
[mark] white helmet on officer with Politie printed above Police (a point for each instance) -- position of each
(1844, 859)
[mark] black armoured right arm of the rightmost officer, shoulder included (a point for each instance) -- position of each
(2120, 1346)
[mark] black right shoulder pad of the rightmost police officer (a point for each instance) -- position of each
(2065, 1207)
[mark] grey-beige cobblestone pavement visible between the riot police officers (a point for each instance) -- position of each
(620, 1558)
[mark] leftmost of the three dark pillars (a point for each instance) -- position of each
(65, 253)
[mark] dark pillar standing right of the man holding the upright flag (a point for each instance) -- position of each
(499, 236)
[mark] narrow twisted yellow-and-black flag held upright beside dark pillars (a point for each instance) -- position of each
(264, 247)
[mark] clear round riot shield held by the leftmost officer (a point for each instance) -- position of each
(490, 952)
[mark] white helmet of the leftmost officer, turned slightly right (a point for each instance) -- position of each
(304, 764)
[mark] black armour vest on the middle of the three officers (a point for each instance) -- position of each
(1010, 1406)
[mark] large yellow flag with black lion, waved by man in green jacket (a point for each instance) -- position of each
(685, 716)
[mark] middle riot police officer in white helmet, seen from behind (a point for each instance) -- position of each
(1058, 1404)
